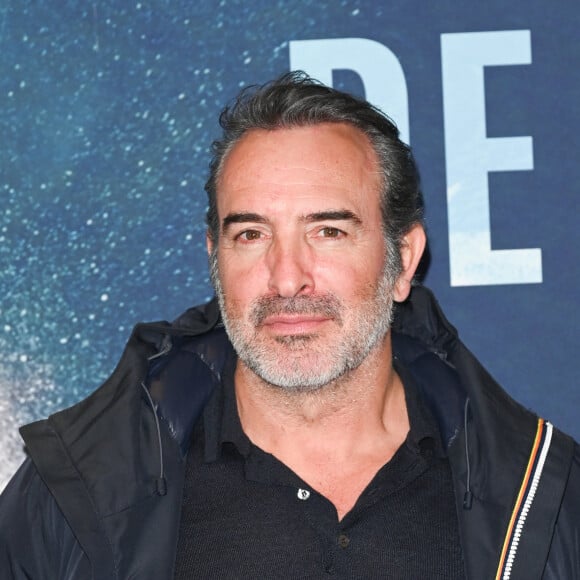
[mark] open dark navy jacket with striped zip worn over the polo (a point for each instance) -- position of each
(100, 495)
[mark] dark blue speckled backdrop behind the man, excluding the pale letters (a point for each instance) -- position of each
(107, 111)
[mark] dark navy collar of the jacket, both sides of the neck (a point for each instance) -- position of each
(200, 348)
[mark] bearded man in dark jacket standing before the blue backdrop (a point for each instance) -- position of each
(337, 426)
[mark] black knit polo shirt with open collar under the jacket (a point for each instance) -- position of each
(246, 515)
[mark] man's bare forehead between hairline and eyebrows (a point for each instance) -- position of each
(324, 163)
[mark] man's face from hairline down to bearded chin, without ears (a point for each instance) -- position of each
(300, 265)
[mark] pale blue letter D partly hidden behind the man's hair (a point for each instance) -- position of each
(378, 68)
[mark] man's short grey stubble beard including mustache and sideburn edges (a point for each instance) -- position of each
(306, 362)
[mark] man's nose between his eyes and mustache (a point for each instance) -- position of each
(290, 269)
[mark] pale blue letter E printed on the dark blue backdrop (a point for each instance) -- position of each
(470, 155)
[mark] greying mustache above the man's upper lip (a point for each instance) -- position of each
(328, 306)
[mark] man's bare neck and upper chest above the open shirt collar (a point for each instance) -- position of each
(337, 438)
